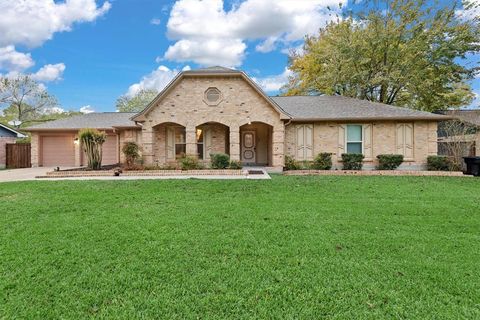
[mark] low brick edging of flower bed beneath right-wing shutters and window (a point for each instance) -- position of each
(374, 173)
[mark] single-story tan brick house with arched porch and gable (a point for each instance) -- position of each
(217, 110)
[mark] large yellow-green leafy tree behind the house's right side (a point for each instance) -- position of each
(401, 52)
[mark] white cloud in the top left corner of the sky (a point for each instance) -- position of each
(32, 22)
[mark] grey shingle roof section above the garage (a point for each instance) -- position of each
(95, 120)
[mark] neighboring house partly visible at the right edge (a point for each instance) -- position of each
(468, 133)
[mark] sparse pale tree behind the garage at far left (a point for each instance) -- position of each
(22, 98)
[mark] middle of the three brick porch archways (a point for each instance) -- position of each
(212, 137)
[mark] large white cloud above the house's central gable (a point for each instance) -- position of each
(207, 34)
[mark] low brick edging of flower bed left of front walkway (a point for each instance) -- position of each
(143, 173)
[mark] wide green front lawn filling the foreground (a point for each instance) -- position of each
(291, 247)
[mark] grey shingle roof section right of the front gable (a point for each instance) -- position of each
(325, 108)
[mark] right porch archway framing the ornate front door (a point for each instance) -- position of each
(256, 144)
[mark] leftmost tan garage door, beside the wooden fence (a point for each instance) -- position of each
(58, 151)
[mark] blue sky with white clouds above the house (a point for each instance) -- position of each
(87, 53)
